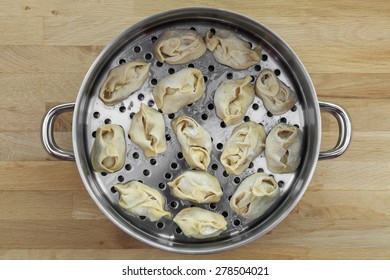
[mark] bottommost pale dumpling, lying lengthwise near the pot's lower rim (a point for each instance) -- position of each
(200, 223)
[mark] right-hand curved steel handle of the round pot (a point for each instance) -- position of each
(345, 130)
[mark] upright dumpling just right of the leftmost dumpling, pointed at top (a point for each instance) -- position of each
(147, 130)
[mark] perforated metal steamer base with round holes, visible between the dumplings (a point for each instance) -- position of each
(159, 170)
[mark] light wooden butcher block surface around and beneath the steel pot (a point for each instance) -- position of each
(46, 48)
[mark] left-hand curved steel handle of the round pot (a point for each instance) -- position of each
(48, 131)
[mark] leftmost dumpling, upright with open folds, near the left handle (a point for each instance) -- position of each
(109, 149)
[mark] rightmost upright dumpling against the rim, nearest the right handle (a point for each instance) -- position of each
(283, 148)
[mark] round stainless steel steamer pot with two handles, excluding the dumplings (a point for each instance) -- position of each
(136, 42)
